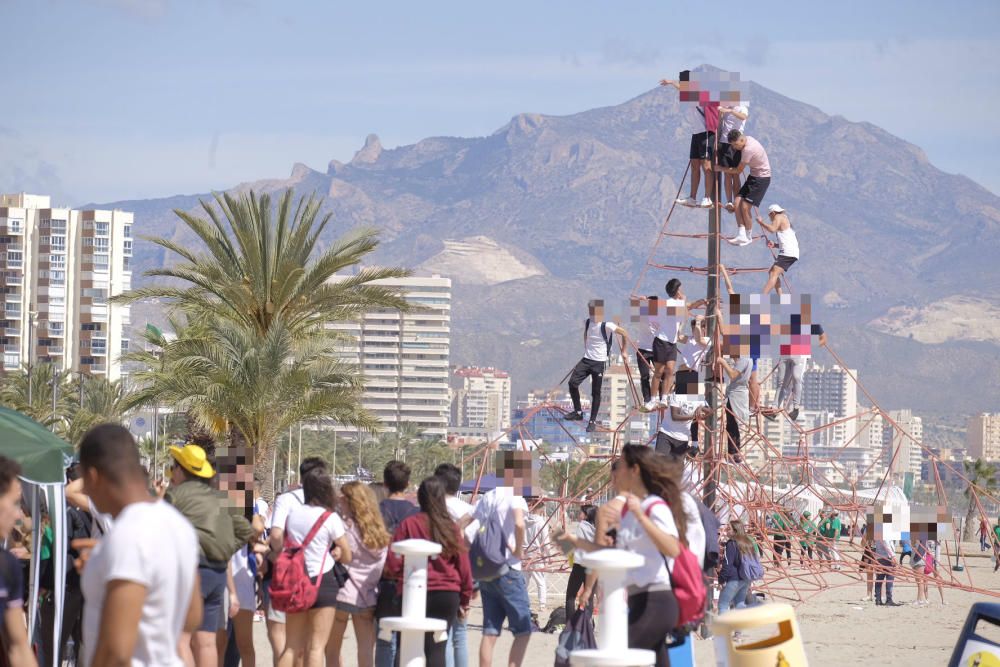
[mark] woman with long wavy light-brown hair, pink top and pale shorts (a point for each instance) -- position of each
(369, 542)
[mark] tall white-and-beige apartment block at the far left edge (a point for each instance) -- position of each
(59, 268)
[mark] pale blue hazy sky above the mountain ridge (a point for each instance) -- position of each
(126, 99)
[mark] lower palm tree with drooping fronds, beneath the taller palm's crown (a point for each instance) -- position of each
(247, 388)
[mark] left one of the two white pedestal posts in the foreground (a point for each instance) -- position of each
(414, 622)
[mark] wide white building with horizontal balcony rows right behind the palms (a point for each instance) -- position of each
(404, 357)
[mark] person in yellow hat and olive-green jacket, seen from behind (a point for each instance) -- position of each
(221, 530)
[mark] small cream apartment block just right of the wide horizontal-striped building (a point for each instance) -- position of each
(481, 399)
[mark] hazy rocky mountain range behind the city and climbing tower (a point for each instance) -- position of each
(549, 211)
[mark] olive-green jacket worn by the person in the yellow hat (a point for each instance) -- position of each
(221, 531)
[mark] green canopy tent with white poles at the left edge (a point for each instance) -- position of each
(43, 458)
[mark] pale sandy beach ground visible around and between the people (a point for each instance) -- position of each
(837, 627)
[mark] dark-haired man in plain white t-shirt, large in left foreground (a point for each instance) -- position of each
(140, 582)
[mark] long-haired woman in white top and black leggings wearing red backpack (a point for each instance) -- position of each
(653, 525)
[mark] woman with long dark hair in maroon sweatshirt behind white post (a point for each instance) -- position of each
(449, 576)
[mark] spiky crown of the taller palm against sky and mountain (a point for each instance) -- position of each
(261, 267)
